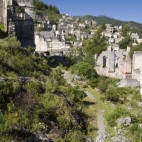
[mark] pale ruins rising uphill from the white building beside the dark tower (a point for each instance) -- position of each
(53, 40)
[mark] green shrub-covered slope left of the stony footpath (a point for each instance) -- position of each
(35, 98)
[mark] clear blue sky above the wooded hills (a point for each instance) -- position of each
(126, 10)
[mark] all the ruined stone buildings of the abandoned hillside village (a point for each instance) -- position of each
(18, 17)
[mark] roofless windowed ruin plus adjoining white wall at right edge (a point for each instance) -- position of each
(117, 64)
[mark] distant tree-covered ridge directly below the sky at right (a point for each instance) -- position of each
(135, 27)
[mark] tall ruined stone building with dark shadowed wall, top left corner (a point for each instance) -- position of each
(18, 20)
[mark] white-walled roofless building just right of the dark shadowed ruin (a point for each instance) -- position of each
(49, 42)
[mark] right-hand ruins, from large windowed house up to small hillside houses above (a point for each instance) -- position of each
(116, 63)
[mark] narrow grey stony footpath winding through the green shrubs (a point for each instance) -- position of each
(100, 119)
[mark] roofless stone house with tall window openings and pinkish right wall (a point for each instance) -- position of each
(113, 64)
